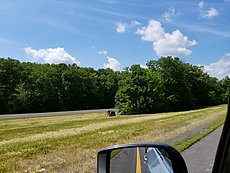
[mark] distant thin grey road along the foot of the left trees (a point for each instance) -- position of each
(13, 116)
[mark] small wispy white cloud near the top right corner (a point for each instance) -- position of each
(207, 13)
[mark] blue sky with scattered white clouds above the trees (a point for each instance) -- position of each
(117, 33)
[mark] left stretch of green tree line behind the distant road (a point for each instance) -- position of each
(31, 87)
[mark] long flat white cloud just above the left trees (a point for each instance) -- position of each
(51, 55)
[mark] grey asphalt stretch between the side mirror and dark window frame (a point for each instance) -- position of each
(200, 157)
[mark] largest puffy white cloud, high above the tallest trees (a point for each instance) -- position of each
(164, 44)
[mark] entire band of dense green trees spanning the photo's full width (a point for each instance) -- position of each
(167, 84)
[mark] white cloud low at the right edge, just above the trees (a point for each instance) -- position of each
(221, 68)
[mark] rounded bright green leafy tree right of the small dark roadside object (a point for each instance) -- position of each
(138, 91)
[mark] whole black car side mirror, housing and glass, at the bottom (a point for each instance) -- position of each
(140, 158)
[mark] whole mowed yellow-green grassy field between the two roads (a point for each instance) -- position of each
(69, 143)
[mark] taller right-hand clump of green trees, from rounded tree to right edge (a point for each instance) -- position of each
(168, 84)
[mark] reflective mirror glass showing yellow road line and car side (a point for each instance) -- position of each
(140, 160)
